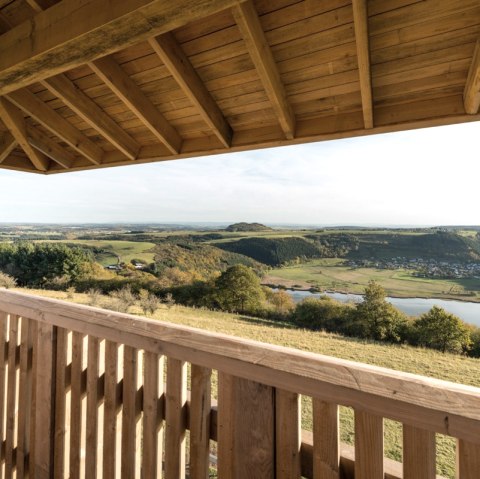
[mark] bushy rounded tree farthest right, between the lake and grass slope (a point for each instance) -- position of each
(438, 329)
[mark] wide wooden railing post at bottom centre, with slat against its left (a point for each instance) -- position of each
(246, 433)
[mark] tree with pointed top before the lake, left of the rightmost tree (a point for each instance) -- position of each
(376, 318)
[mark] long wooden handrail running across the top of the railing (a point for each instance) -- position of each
(431, 404)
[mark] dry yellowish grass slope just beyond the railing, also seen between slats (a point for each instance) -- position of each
(404, 358)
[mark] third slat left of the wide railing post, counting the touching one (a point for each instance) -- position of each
(176, 397)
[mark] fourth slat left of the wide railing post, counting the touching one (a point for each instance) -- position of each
(150, 428)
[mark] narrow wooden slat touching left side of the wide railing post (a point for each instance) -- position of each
(225, 433)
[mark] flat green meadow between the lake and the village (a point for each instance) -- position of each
(329, 274)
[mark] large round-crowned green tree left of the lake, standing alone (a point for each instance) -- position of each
(238, 289)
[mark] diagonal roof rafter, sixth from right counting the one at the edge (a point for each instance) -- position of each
(92, 114)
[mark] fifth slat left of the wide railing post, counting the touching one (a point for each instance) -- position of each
(128, 412)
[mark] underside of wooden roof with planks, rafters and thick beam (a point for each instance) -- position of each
(94, 83)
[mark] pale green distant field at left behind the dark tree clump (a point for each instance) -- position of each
(124, 250)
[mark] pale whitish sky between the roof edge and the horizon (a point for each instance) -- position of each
(422, 177)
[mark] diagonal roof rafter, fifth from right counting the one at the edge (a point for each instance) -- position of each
(130, 93)
